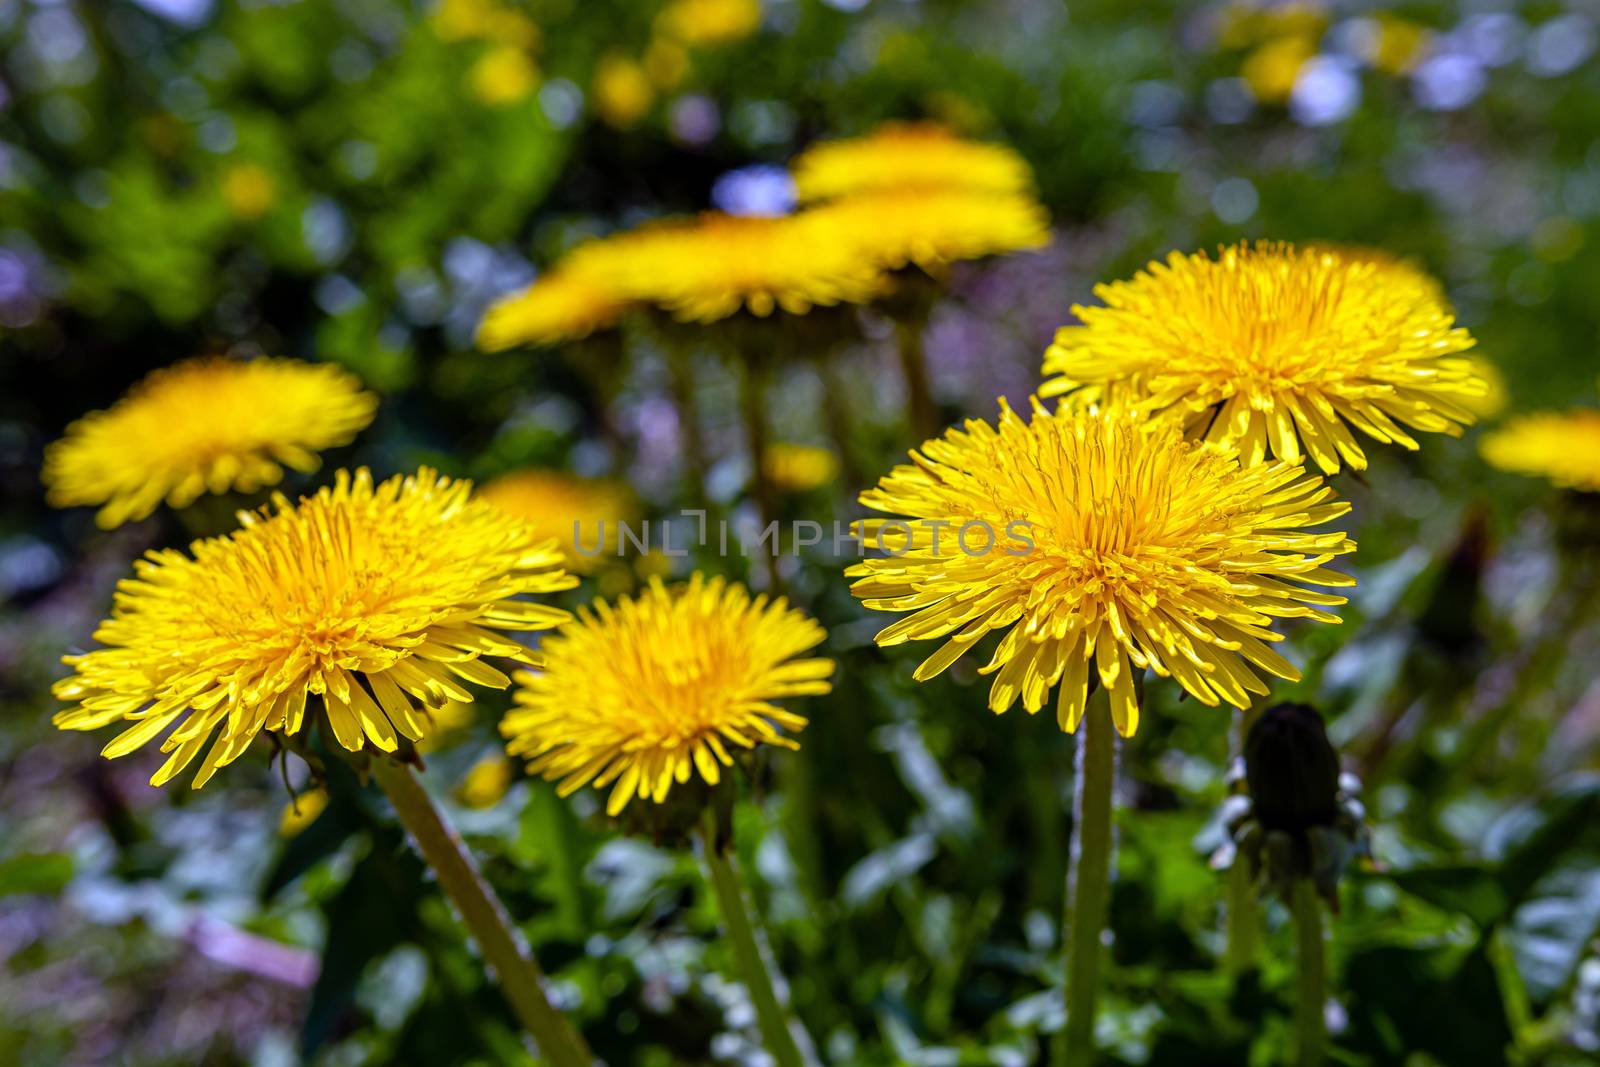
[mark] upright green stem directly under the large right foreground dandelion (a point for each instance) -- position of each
(1089, 881)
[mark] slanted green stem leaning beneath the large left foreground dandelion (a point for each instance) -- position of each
(521, 978)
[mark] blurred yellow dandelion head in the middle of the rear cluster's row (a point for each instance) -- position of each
(718, 265)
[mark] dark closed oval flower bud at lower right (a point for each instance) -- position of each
(1292, 770)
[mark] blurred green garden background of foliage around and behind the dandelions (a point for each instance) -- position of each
(356, 180)
